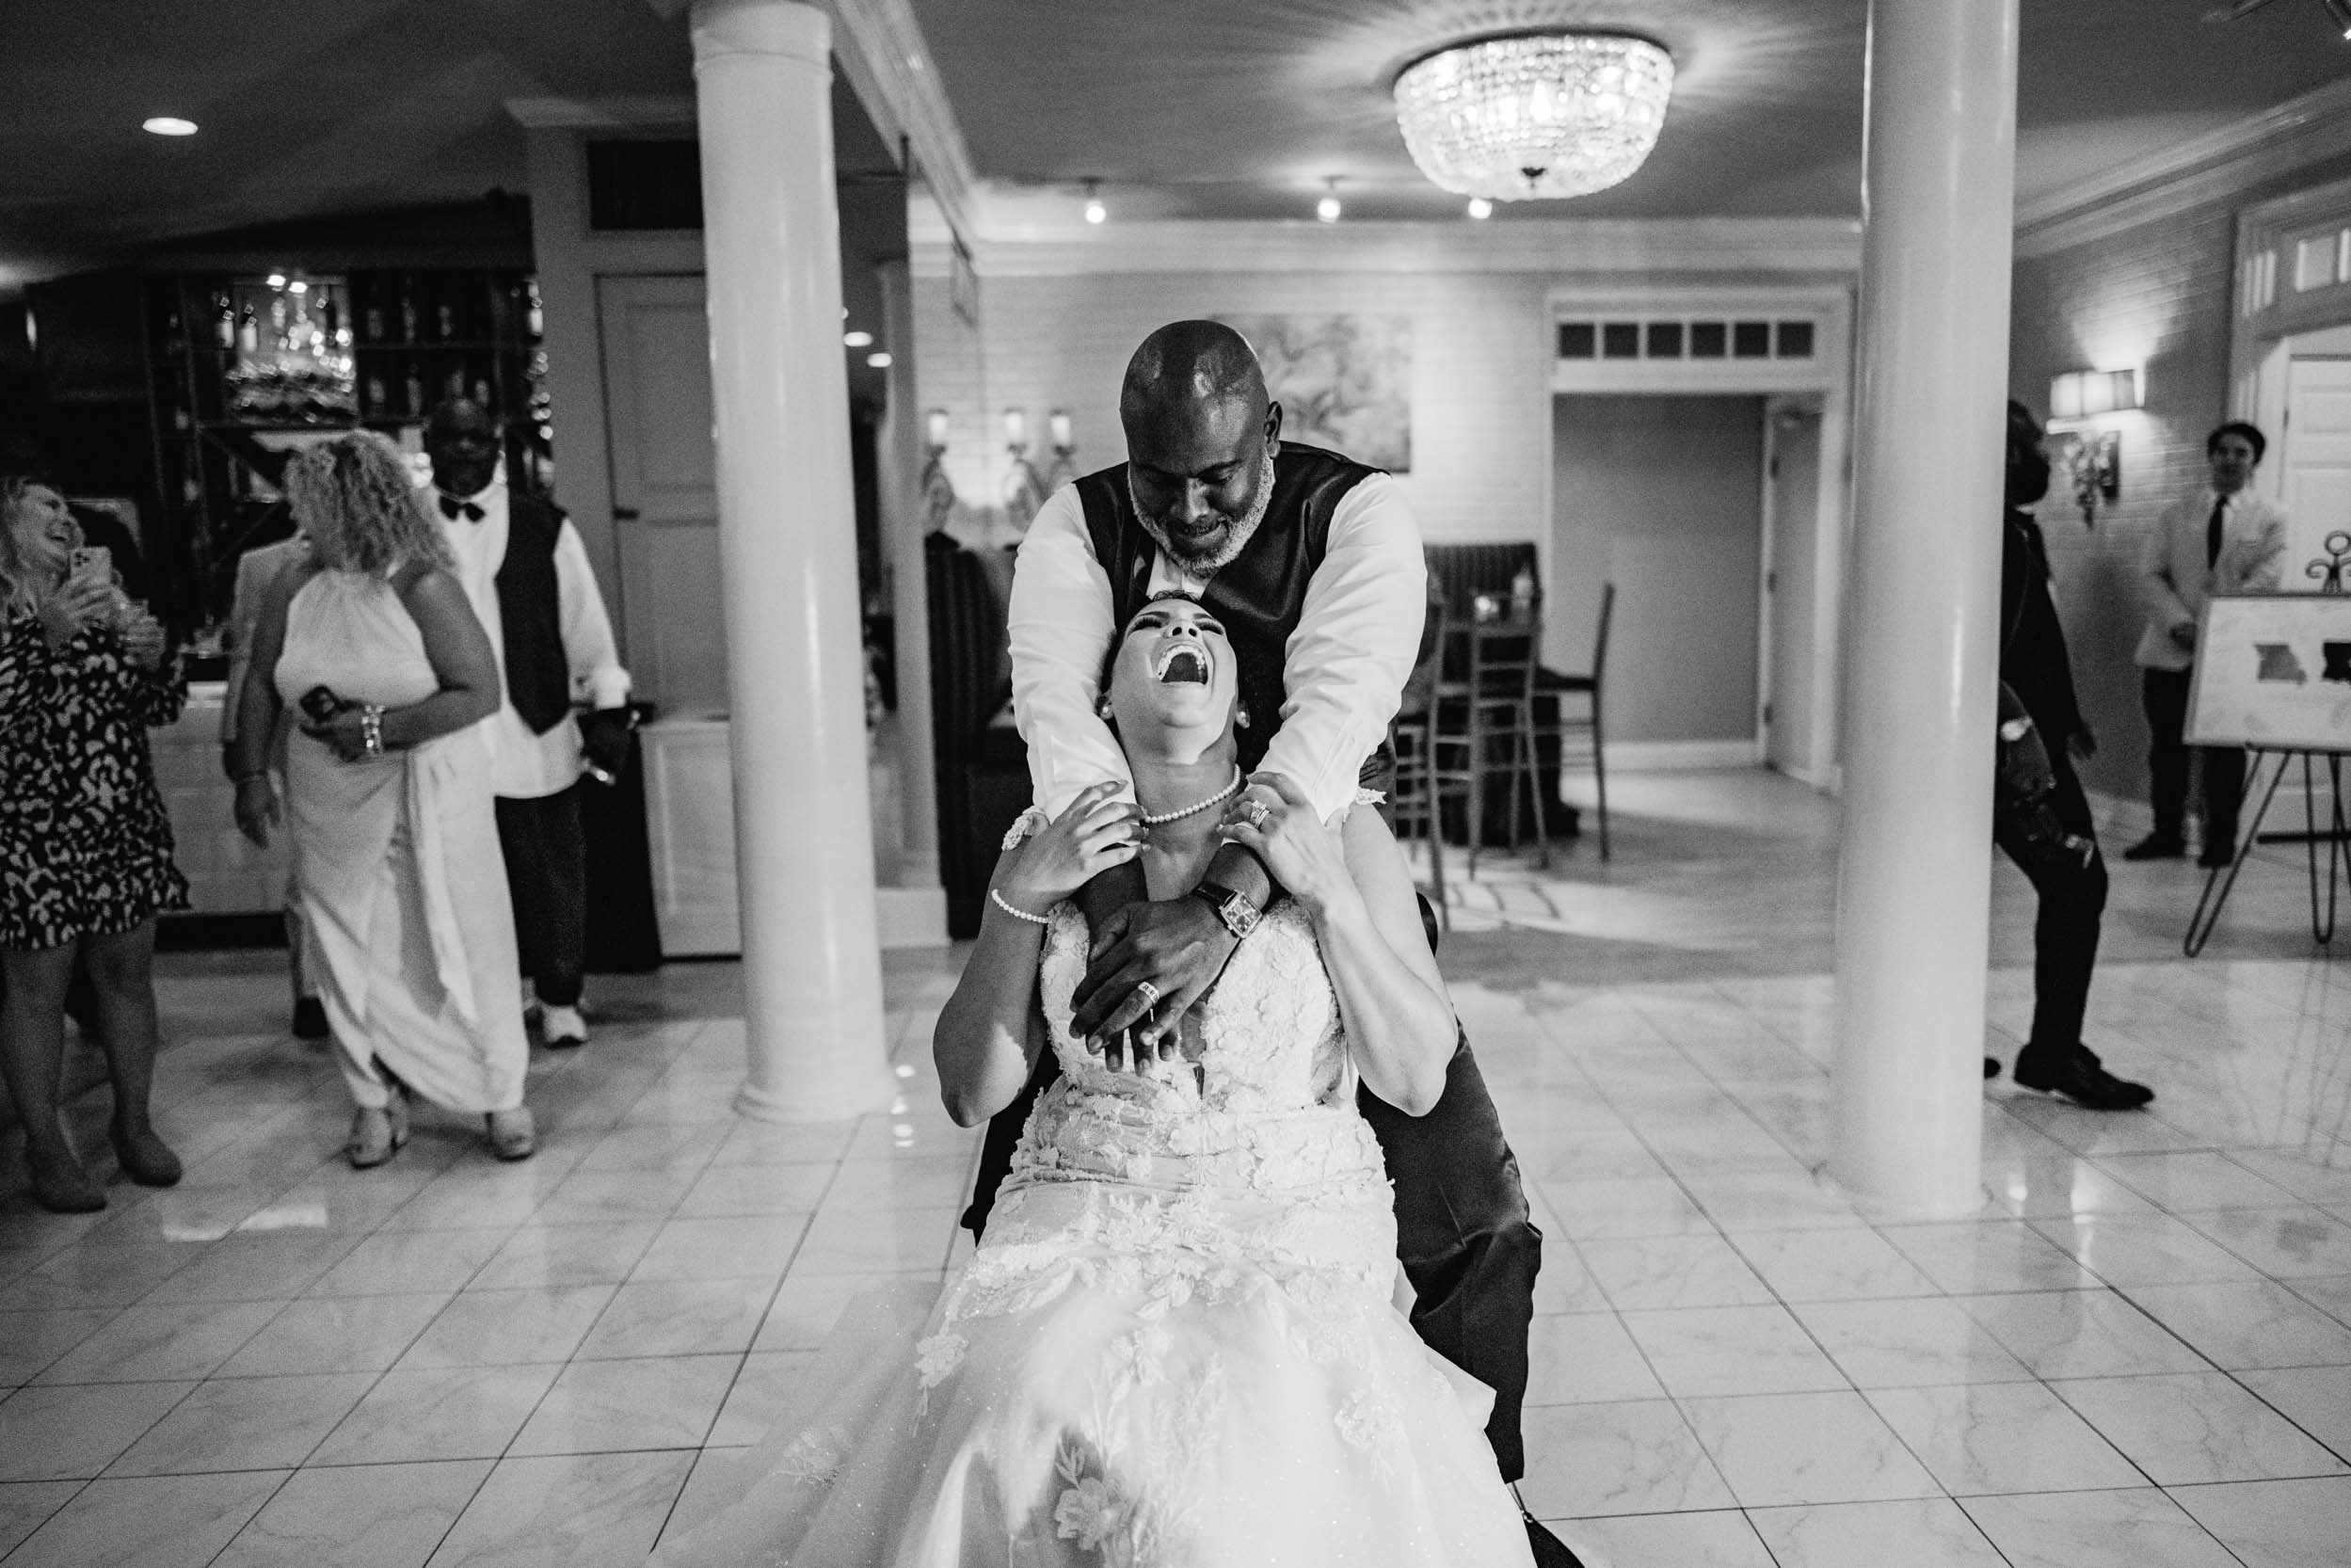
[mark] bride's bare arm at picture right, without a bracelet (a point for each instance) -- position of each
(1367, 918)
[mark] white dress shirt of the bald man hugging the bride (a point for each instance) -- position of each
(1344, 669)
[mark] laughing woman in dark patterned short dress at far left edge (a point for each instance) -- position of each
(86, 847)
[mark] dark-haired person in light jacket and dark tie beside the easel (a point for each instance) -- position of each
(2221, 540)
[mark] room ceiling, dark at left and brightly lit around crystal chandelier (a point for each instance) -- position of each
(1217, 109)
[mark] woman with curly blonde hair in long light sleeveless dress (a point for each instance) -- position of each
(389, 800)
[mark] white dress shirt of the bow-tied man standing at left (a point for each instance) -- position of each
(525, 765)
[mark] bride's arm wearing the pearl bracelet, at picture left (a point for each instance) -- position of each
(991, 1031)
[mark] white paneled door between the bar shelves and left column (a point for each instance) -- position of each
(664, 488)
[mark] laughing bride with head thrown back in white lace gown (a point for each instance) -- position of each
(1177, 1346)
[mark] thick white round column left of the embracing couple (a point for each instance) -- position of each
(812, 958)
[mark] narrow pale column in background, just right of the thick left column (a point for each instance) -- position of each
(904, 525)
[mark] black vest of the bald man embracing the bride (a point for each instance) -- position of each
(1261, 594)
